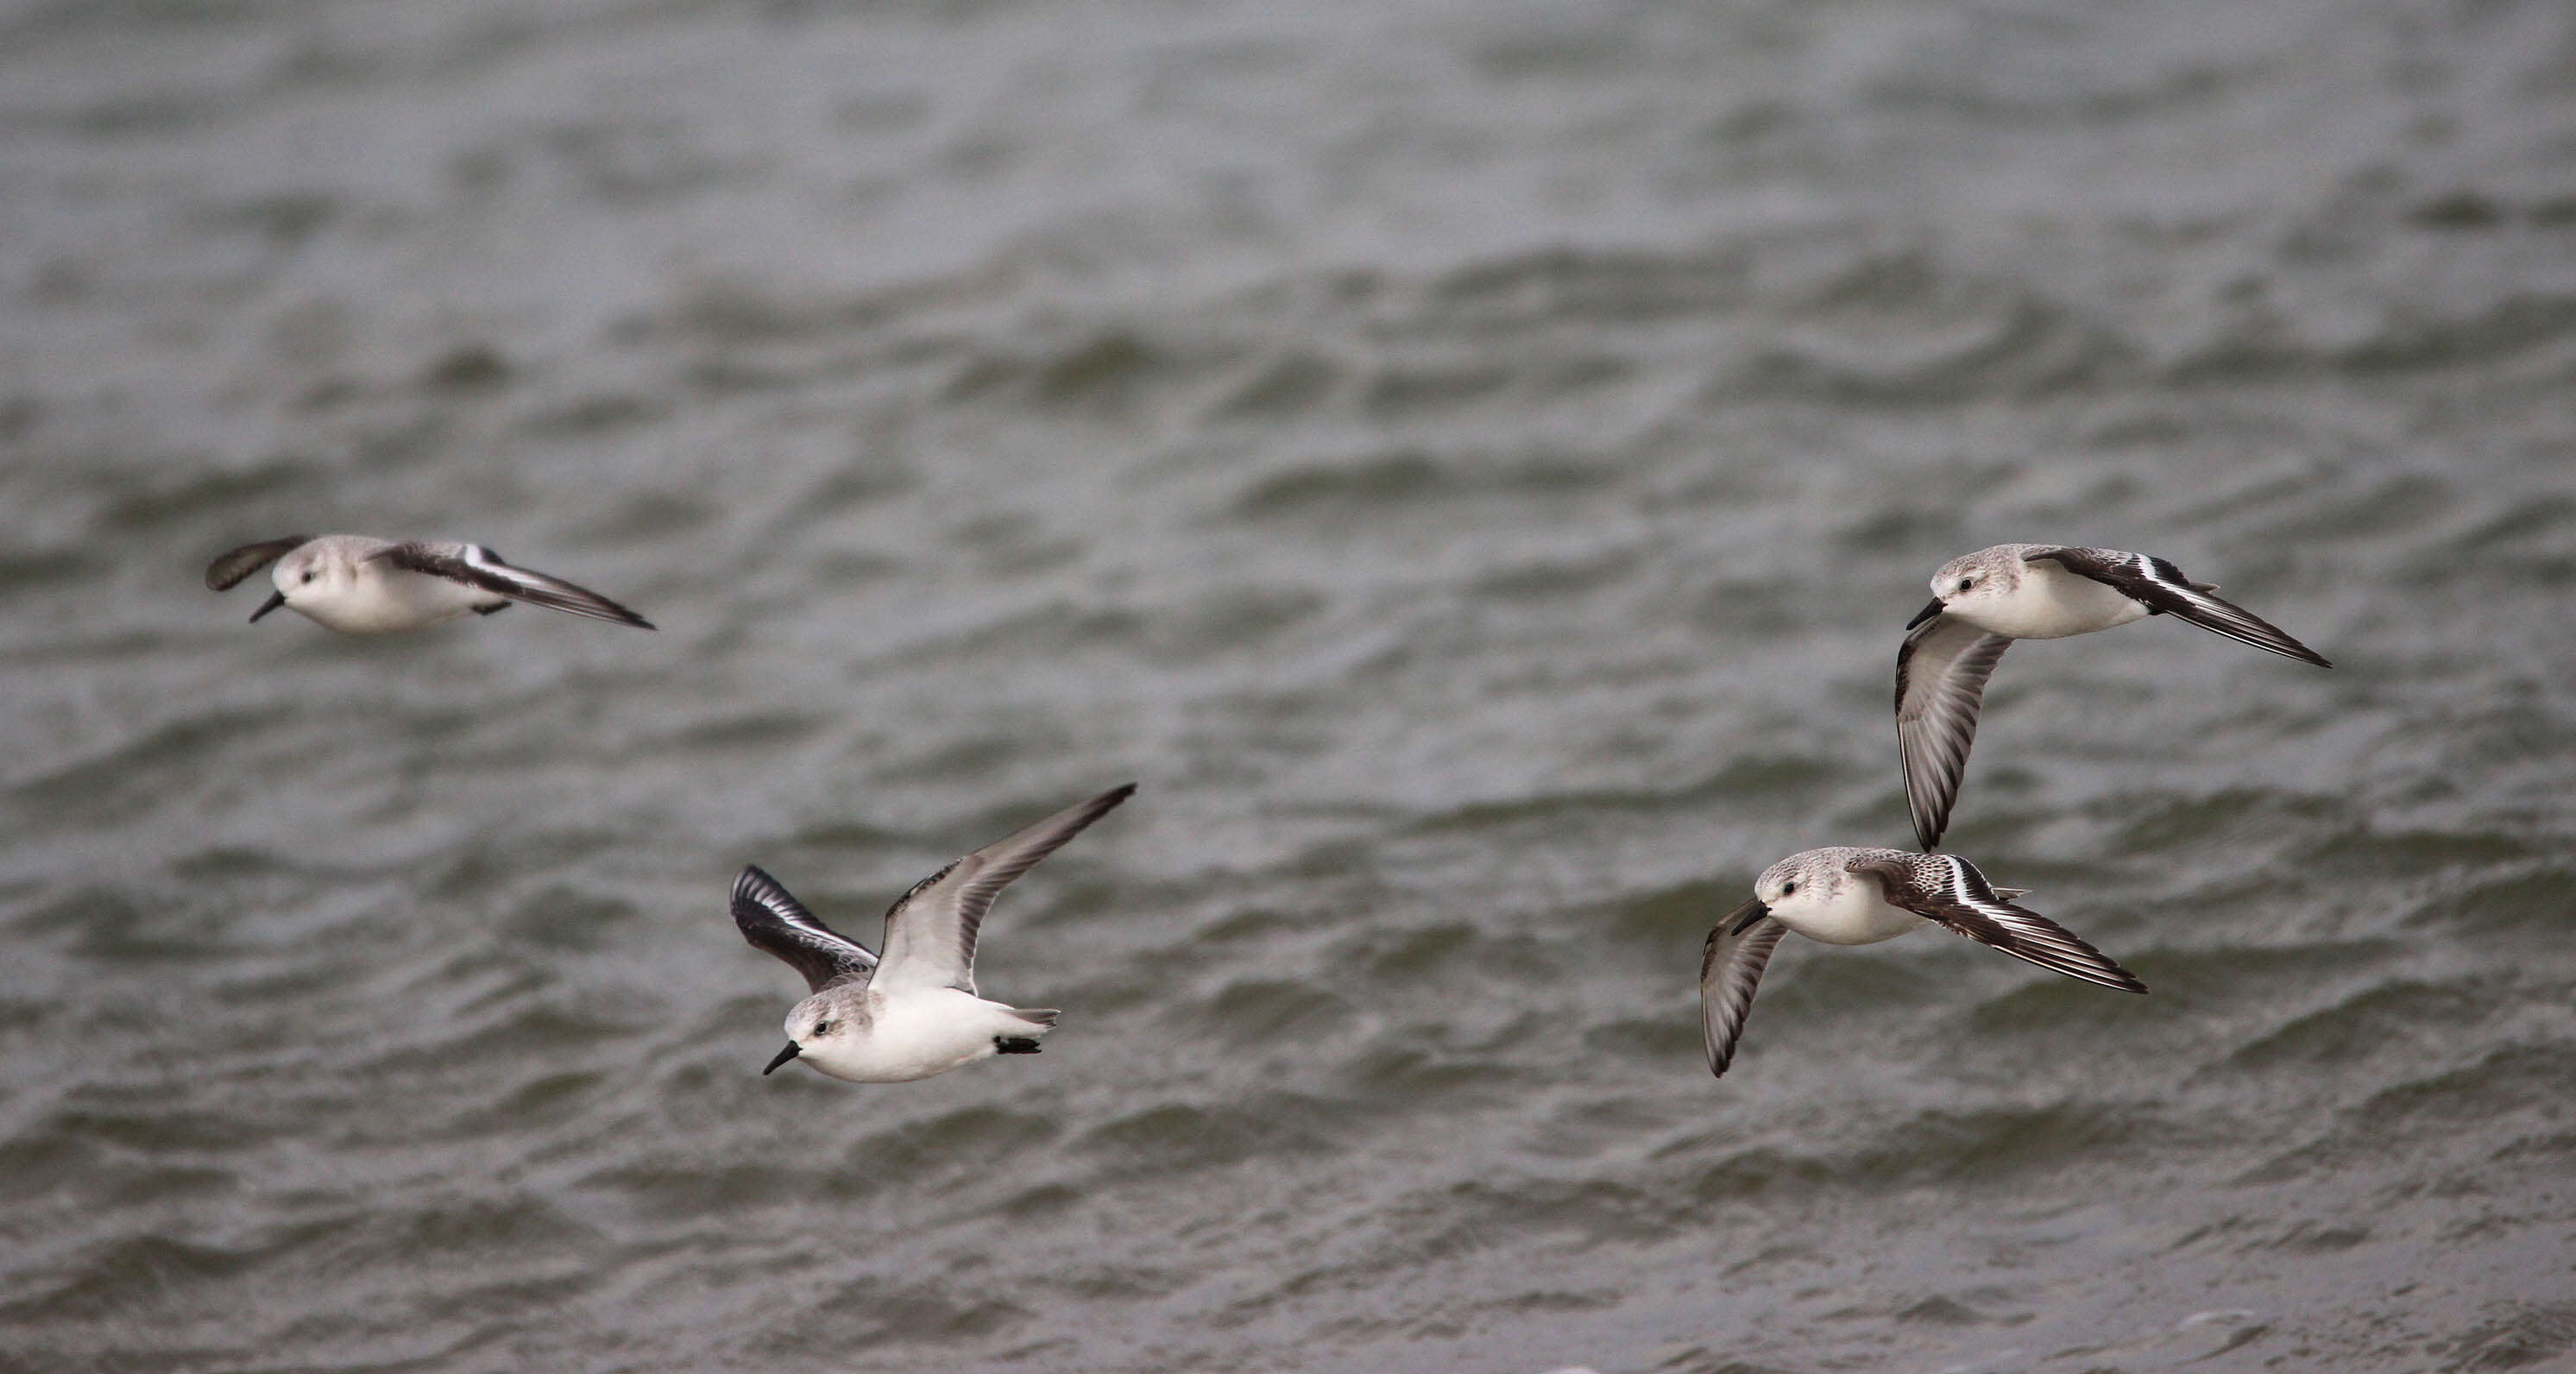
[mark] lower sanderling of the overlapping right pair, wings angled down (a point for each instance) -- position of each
(1866, 896)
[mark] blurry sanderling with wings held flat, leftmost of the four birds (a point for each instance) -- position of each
(370, 586)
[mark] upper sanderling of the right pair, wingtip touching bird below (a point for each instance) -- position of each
(2029, 592)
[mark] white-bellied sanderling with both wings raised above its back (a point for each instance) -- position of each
(916, 1012)
